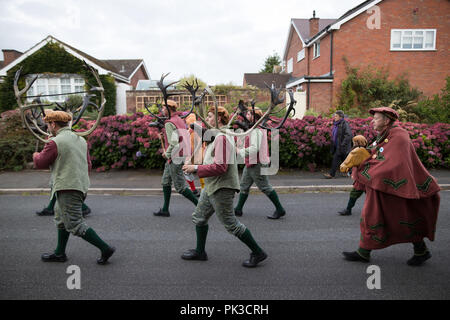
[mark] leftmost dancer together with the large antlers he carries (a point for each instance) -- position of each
(66, 154)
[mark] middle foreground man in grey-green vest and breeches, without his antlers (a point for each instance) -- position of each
(219, 169)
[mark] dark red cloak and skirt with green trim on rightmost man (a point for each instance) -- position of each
(402, 198)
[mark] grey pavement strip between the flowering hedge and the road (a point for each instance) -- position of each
(148, 182)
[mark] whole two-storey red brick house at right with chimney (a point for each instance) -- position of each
(406, 37)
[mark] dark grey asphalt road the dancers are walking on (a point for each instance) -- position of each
(304, 251)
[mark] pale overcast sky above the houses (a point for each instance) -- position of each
(216, 40)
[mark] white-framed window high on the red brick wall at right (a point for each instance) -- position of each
(413, 39)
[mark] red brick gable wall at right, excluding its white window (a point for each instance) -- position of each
(425, 70)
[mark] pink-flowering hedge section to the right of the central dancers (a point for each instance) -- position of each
(306, 143)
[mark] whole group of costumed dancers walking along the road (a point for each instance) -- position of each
(401, 205)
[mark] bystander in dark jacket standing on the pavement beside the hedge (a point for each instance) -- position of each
(341, 142)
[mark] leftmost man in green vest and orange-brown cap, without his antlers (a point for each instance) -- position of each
(68, 158)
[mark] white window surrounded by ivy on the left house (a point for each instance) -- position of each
(56, 85)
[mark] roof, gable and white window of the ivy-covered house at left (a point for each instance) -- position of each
(126, 73)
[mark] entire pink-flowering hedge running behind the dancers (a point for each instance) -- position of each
(126, 141)
